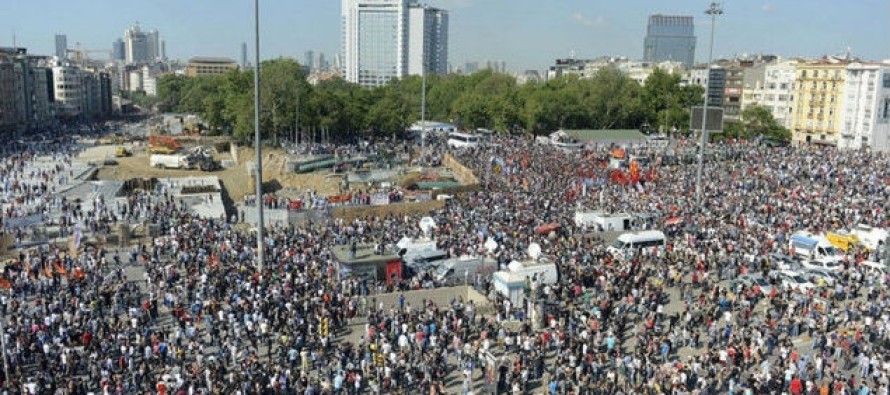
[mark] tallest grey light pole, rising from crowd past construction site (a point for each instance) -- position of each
(258, 142)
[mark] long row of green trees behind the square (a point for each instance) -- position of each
(485, 99)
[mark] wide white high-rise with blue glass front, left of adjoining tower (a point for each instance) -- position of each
(374, 38)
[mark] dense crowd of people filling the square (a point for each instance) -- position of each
(190, 312)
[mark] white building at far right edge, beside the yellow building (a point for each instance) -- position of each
(865, 115)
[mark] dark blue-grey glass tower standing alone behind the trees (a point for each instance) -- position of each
(670, 38)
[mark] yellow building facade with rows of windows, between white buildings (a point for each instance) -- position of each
(818, 101)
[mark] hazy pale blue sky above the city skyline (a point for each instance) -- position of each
(527, 34)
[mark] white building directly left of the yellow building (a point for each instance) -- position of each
(771, 85)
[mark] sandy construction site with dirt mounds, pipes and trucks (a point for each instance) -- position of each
(341, 179)
